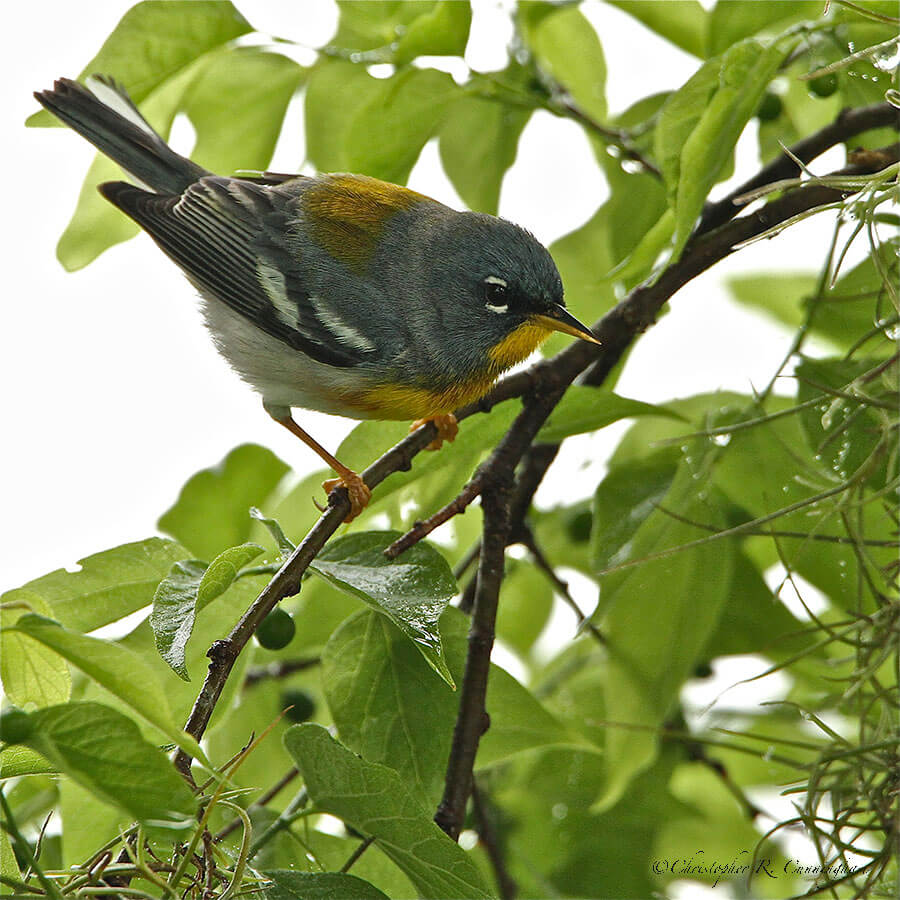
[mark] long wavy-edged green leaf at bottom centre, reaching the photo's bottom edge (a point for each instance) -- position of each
(374, 800)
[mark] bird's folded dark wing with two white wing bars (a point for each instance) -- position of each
(223, 233)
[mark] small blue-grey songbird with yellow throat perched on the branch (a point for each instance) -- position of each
(339, 293)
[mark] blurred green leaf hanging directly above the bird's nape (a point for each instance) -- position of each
(478, 143)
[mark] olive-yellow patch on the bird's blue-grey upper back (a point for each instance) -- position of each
(346, 215)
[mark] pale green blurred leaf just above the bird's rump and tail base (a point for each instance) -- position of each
(237, 105)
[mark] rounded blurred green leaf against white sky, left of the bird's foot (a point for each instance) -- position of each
(211, 513)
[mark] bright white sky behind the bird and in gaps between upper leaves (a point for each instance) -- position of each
(112, 393)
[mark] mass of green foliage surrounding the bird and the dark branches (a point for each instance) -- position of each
(725, 525)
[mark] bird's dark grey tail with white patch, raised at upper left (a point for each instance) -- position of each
(103, 113)
